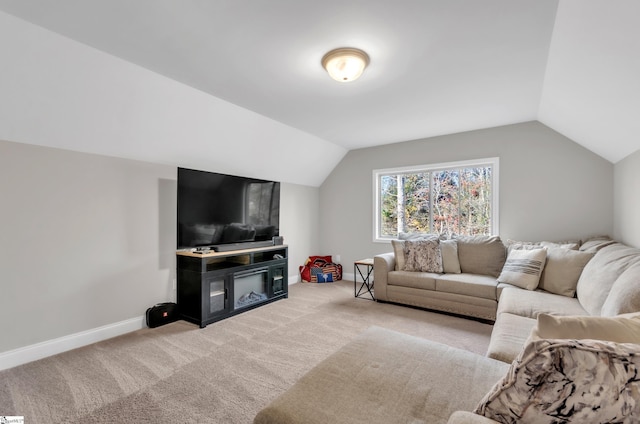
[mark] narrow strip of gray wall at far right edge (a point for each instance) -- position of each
(627, 200)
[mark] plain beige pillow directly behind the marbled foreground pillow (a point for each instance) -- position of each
(621, 329)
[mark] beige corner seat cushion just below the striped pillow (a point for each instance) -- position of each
(531, 303)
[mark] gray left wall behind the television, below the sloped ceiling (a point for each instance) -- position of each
(88, 240)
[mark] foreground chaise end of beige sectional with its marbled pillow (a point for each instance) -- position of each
(385, 377)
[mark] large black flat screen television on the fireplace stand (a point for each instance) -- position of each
(226, 212)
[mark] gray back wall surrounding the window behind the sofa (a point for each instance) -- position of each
(550, 187)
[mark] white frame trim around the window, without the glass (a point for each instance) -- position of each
(494, 162)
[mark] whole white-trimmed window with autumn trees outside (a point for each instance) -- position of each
(455, 198)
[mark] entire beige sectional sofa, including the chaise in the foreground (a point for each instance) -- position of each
(553, 356)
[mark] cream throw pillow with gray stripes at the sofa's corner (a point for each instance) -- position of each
(523, 268)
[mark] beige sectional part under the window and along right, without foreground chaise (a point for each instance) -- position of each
(603, 274)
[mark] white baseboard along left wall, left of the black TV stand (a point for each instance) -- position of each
(41, 350)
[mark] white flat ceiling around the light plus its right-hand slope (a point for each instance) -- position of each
(437, 66)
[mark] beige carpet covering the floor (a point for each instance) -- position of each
(224, 373)
